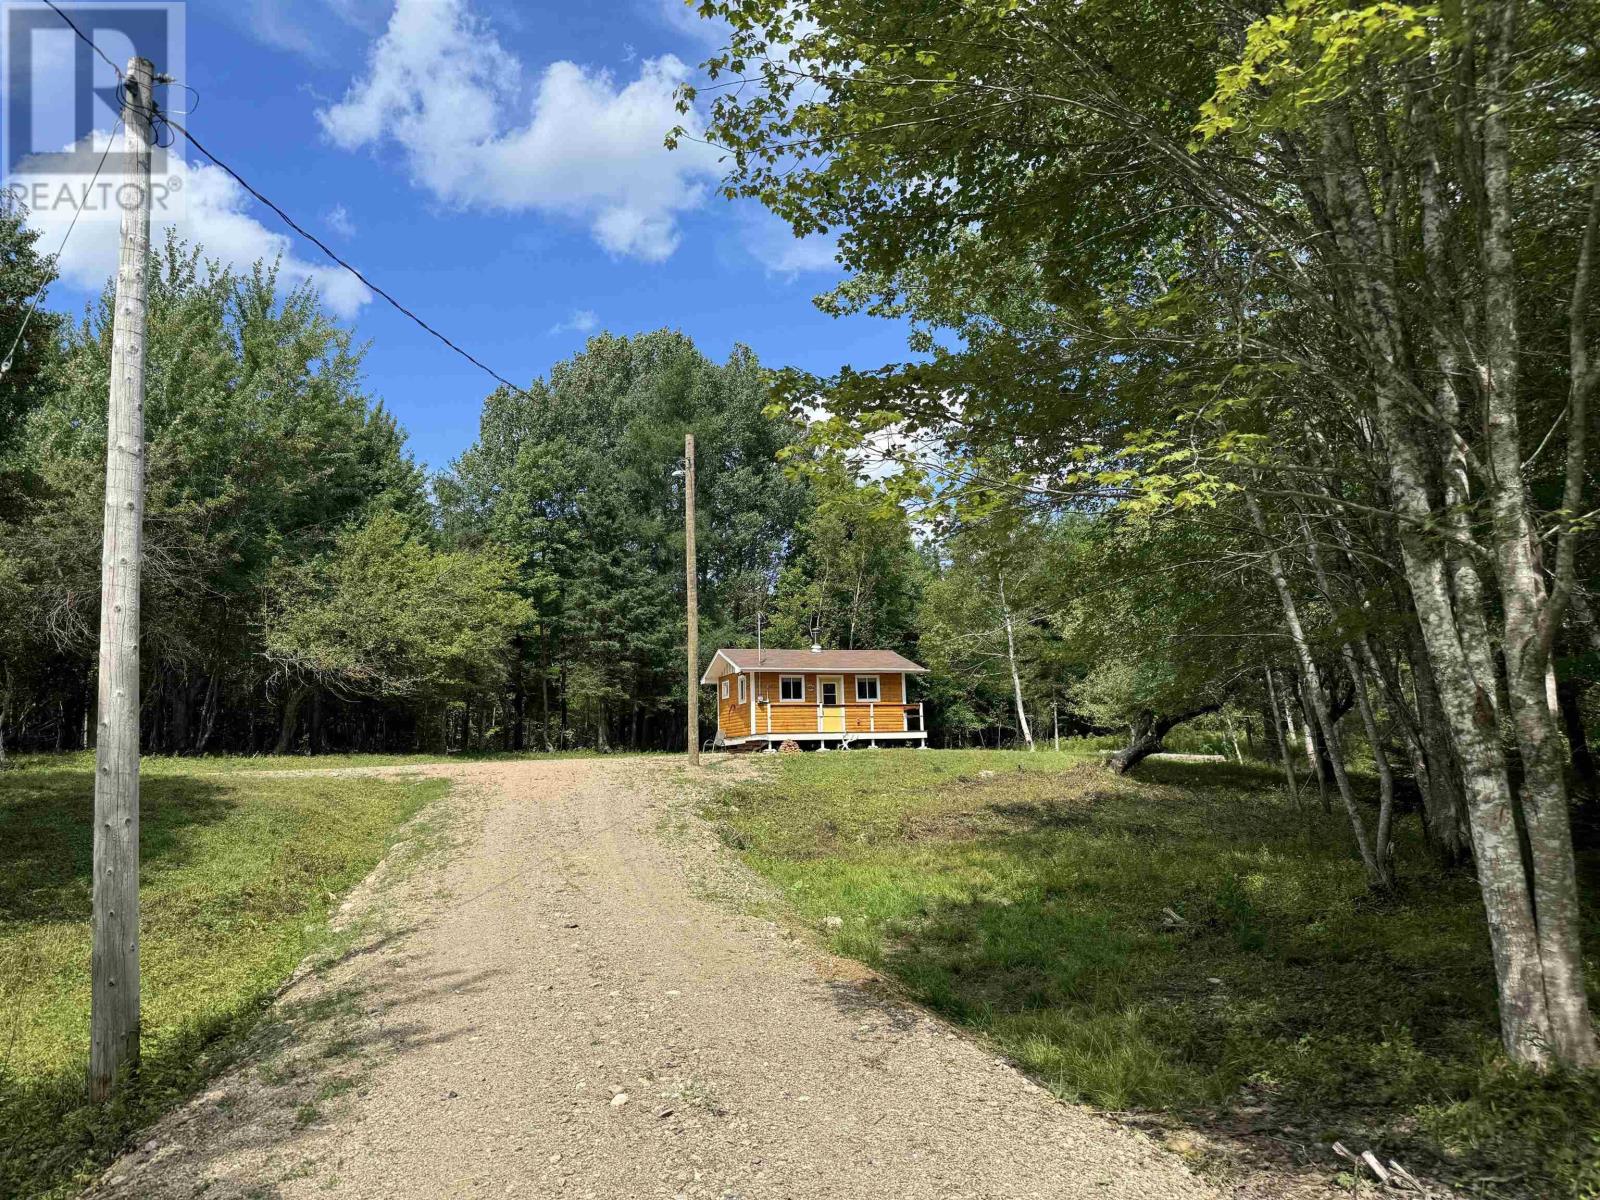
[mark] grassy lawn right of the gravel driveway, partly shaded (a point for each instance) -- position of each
(1023, 897)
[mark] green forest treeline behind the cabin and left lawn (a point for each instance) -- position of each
(308, 588)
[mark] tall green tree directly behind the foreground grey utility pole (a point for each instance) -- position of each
(262, 447)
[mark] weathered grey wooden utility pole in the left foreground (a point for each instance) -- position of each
(114, 1014)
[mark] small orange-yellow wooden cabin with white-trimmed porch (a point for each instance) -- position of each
(825, 697)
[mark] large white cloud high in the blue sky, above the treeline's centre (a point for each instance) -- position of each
(575, 143)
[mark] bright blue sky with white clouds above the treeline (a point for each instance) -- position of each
(498, 167)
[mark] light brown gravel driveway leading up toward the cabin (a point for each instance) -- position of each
(554, 1009)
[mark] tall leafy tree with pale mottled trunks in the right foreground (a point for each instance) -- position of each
(1289, 258)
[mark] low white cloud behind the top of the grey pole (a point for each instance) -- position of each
(212, 214)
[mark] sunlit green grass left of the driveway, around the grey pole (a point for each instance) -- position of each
(238, 881)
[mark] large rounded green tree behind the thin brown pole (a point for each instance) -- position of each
(574, 478)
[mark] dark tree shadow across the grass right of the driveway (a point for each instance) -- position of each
(1238, 1030)
